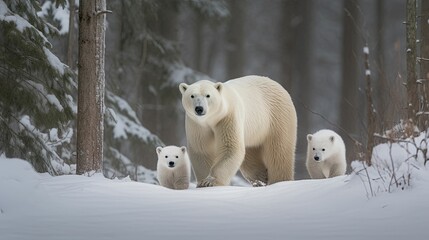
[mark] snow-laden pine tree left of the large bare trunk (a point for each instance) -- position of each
(36, 103)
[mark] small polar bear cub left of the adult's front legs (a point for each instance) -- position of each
(173, 168)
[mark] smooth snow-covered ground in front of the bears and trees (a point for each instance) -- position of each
(39, 206)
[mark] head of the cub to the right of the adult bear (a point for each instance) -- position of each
(320, 146)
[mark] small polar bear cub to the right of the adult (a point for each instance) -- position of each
(326, 154)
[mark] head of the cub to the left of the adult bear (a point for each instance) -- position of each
(171, 156)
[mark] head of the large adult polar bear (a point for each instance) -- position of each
(202, 99)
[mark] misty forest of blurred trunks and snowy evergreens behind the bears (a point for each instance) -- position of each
(314, 49)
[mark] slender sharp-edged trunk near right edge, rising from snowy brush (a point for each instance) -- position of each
(412, 92)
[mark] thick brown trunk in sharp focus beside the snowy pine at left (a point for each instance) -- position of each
(90, 123)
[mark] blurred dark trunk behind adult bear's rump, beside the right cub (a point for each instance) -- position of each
(297, 19)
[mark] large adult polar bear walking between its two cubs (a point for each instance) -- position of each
(247, 123)
